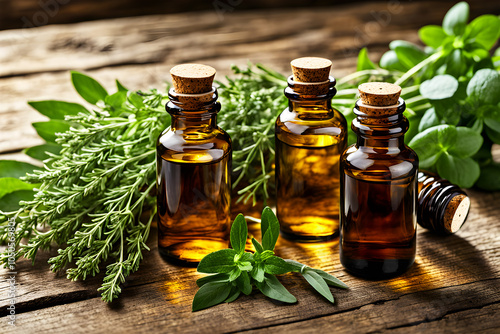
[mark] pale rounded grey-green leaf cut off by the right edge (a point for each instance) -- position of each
(484, 87)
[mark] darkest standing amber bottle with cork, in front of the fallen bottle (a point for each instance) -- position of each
(378, 187)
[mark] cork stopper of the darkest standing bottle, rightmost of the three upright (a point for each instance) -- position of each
(379, 94)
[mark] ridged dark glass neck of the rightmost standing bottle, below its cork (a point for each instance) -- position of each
(380, 131)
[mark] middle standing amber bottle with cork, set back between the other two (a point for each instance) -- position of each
(310, 137)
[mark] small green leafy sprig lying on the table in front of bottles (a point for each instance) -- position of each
(236, 271)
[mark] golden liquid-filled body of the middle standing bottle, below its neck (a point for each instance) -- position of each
(308, 177)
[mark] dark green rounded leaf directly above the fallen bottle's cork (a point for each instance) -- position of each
(463, 172)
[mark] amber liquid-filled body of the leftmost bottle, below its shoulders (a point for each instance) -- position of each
(194, 195)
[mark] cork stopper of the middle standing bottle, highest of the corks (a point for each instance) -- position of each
(311, 69)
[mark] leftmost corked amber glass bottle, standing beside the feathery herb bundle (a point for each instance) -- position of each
(193, 170)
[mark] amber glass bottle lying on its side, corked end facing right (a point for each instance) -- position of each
(442, 206)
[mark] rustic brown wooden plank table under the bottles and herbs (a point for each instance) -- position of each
(454, 286)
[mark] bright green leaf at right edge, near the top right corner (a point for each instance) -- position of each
(484, 30)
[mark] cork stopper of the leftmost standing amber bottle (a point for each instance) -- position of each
(192, 78)
